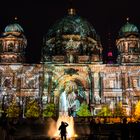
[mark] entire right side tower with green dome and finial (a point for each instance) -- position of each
(128, 44)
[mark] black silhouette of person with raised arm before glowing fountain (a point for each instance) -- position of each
(63, 131)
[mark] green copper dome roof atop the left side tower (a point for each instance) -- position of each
(13, 28)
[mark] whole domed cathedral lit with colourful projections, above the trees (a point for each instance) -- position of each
(71, 70)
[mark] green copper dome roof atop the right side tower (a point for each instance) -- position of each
(128, 28)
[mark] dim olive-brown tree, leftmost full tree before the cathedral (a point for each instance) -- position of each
(13, 110)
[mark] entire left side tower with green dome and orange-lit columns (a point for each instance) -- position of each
(13, 44)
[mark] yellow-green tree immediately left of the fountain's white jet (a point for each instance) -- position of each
(49, 111)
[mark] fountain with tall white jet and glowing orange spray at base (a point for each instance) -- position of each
(63, 116)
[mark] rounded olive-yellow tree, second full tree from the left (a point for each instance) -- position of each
(33, 109)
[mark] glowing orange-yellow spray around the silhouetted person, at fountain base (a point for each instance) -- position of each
(54, 126)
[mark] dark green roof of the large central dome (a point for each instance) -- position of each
(72, 24)
